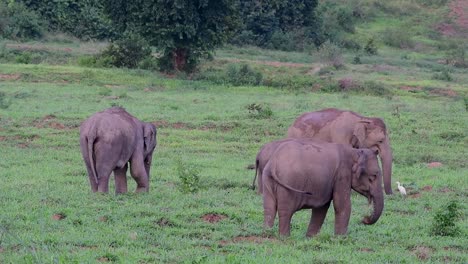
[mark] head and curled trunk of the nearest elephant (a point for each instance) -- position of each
(367, 180)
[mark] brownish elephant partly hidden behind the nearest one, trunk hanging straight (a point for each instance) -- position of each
(347, 127)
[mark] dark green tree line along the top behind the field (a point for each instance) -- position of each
(182, 31)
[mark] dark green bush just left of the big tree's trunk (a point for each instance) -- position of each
(127, 52)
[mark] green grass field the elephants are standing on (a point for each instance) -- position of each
(209, 127)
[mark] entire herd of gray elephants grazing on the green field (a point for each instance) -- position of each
(326, 154)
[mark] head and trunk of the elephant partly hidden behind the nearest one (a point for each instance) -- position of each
(372, 133)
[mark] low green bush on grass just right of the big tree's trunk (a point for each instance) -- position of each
(243, 75)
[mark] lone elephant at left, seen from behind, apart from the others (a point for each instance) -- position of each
(111, 139)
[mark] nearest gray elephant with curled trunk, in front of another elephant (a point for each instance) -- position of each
(304, 174)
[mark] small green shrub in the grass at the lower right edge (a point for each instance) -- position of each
(444, 222)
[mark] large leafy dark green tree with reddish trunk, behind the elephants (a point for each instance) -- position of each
(184, 30)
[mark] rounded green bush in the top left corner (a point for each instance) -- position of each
(18, 22)
